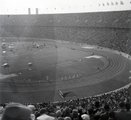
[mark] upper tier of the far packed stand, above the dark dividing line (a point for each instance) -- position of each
(114, 19)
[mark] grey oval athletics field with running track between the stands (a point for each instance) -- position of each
(34, 70)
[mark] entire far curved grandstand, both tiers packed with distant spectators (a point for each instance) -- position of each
(110, 29)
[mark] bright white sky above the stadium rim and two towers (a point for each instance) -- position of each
(52, 6)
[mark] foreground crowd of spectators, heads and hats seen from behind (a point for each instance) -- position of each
(112, 106)
